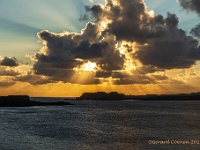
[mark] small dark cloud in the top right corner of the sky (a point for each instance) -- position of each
(193, 5)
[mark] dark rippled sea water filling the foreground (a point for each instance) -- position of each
(100, 125)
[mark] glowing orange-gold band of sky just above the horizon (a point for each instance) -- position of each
(65, 89)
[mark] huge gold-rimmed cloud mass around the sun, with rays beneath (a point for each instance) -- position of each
(127, 43)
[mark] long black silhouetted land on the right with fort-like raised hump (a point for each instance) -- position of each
(117, 96)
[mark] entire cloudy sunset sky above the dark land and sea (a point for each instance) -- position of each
(65, 48)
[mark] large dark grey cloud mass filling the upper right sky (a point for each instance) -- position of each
(162, 43)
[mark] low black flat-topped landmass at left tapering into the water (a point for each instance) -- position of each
(24, 101)
